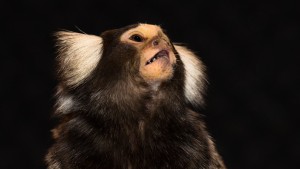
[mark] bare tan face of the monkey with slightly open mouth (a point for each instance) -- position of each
(154, 51)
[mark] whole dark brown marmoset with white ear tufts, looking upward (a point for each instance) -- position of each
(124, 103)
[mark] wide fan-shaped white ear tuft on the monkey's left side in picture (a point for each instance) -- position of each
(78, 55)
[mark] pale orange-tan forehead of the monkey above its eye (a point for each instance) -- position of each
(146, 30)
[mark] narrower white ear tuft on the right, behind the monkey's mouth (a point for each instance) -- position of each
(194, 76)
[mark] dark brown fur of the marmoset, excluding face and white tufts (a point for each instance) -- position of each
(119, 122)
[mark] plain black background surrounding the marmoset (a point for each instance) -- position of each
(251, 50)
